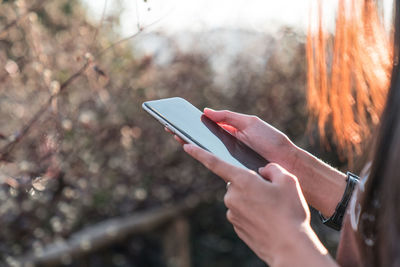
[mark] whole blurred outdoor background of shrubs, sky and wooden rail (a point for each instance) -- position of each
(87, 178)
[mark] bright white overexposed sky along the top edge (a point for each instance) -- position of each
(198, 15)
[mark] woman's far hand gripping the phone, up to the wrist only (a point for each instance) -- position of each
(263, 138)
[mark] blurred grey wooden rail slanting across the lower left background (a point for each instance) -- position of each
(108, 232)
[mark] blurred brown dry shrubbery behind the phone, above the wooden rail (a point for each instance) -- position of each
(76, 147)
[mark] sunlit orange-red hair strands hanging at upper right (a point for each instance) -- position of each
(347, 87)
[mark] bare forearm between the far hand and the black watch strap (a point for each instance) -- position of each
(322, 185)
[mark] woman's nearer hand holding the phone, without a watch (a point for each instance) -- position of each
(268, 213)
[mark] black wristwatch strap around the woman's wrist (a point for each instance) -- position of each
(335, 221)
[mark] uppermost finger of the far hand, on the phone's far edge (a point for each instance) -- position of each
(237, 120)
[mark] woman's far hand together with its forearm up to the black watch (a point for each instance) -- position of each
(322, 185)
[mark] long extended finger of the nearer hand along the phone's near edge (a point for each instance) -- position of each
(226, 171)
